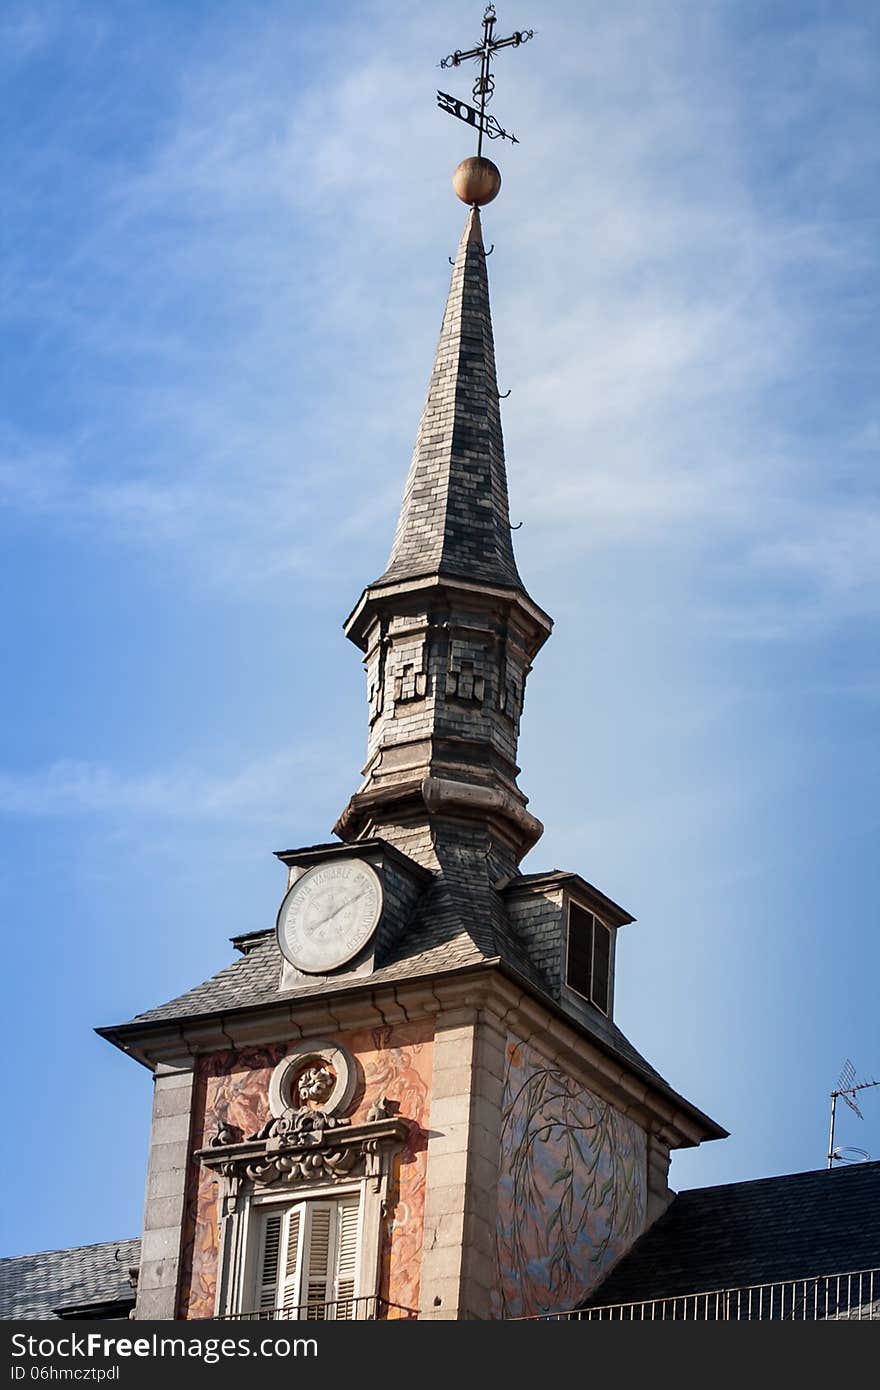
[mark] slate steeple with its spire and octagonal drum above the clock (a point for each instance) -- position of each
(448, 630)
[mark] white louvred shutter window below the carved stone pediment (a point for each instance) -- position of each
(308, 1260)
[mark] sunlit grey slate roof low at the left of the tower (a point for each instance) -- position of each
(35, 1286)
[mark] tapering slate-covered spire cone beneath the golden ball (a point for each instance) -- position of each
(455, 519)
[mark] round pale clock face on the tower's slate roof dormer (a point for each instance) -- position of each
(329, 915)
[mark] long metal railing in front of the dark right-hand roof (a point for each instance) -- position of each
(854, 1296)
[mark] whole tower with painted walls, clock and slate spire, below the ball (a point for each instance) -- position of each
(411, 1099)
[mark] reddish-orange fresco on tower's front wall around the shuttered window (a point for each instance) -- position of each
(233, 1089)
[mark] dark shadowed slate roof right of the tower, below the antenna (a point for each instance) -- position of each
(774, 1229)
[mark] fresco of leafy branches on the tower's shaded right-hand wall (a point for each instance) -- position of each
(572, 1188)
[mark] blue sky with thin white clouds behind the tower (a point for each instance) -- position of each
(226, 243)
